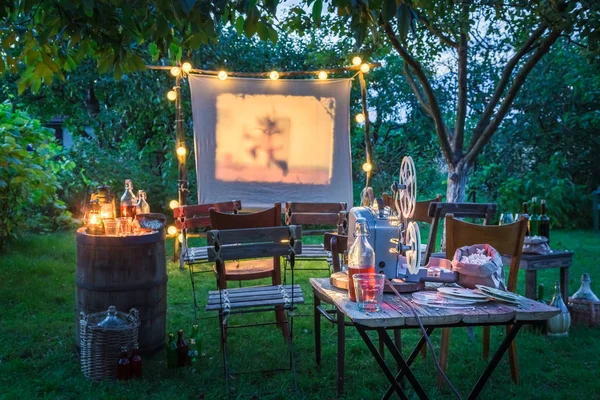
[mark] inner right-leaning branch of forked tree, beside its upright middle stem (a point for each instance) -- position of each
(503, 83)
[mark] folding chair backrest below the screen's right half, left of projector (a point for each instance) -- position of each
(302, 213)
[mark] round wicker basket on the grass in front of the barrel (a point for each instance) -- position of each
(101, 347)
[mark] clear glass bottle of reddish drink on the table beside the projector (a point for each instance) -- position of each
(361, 256)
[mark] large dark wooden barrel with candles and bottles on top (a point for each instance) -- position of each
(125, 272)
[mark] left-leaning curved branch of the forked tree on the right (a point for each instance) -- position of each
(442, 131)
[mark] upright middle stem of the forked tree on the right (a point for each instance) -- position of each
(461, 105)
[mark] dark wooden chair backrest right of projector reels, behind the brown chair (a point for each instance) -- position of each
(438, 210)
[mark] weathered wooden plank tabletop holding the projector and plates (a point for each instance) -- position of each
(395, 313)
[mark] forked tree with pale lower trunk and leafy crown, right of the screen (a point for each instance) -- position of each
(448, 38)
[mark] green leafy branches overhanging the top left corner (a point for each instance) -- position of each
(43, 39)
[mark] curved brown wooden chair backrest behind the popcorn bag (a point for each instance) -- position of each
(507, 239)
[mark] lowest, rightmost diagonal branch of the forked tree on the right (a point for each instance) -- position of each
(512, 93)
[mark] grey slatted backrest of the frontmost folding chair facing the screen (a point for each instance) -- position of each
(237, 244)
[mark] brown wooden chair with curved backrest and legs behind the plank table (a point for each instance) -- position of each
(507, 240)
